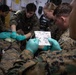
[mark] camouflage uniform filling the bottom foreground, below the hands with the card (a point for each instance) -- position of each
(50, 63)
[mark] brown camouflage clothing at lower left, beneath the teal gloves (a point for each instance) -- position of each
(10, 53)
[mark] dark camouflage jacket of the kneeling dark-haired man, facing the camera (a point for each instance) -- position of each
(24, 23)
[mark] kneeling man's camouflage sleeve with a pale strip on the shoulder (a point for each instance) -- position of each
(15, 17)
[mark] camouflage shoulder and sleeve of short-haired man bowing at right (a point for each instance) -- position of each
(66, 42)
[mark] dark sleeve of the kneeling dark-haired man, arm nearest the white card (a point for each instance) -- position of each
(36, 24)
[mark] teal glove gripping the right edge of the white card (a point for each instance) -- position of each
(54, 44)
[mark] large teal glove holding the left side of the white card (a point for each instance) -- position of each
(32, 45)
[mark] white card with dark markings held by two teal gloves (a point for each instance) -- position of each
(43, 37)
